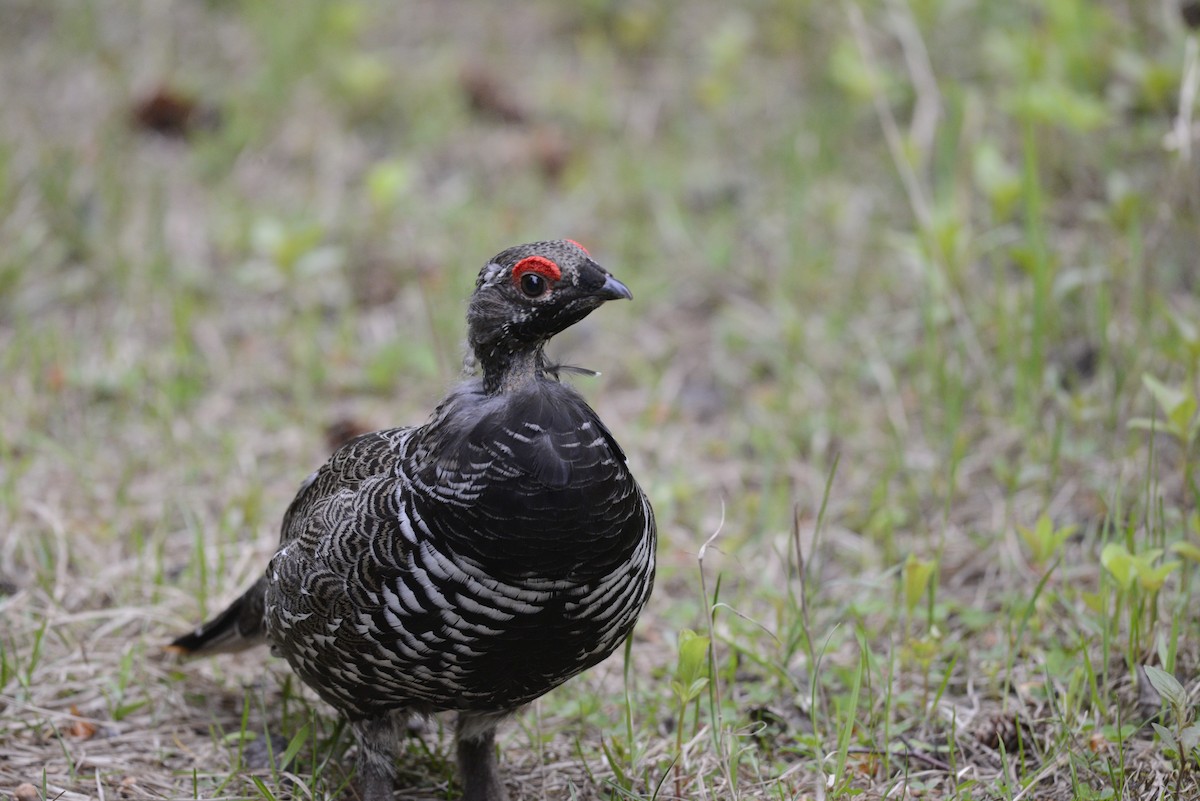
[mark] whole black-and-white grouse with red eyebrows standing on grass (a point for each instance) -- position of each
(471, 564)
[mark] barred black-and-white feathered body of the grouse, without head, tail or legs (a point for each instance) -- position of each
(473, 564)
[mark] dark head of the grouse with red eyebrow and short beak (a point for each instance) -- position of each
(530, 293)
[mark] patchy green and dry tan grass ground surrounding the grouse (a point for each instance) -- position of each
(915, 335)
